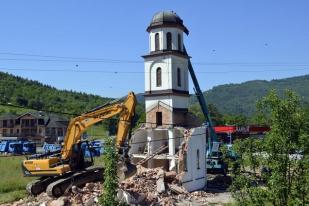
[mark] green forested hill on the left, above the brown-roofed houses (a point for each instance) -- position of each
(33, 94)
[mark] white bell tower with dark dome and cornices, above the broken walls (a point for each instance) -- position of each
(166, 72)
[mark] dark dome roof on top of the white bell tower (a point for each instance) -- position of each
(167, 19)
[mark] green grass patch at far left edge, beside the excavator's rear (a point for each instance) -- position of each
(12, 181)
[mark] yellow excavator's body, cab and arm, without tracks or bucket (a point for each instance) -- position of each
(66, 161)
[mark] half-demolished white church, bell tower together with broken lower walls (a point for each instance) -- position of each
(172, 137)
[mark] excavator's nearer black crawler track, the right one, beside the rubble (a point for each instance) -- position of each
(60, 186)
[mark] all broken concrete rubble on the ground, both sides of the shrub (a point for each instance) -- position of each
(146, 187)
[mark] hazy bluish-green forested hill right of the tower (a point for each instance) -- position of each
(242, 98)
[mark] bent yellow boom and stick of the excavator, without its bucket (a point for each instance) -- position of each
(79, 124)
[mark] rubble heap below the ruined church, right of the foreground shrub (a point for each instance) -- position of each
(157, 187)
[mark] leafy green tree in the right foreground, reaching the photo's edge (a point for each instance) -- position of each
(282, 155)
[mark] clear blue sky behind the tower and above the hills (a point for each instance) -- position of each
(229, 41)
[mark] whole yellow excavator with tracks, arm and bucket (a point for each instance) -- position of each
(59, 171)
